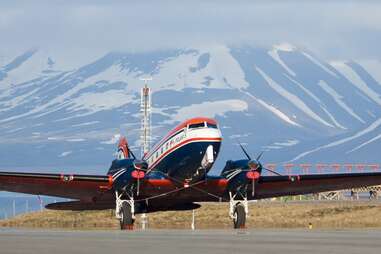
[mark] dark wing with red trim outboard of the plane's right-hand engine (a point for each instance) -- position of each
(275, 186)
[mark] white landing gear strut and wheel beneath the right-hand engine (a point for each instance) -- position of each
(238, 210)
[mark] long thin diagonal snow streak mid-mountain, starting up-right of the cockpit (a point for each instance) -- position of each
(293, 99)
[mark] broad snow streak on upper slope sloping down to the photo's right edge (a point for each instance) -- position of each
(356, 80)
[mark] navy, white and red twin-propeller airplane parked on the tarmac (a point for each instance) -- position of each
(173, 175)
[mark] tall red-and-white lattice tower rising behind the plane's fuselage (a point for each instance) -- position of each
(145, 109)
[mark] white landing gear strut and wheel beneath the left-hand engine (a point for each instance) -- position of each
(125, 211)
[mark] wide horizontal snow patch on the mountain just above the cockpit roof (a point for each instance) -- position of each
(208, 109)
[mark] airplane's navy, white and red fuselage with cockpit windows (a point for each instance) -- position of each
(188, 151)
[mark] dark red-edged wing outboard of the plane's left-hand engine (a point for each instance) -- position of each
(81, 187)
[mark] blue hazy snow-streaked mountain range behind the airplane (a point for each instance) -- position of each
(283, 99)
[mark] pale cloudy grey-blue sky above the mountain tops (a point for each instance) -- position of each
(331, 29)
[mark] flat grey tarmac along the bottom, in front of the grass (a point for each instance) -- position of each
(14, 241)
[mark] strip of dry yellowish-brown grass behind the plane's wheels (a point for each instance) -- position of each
(323, 215)
